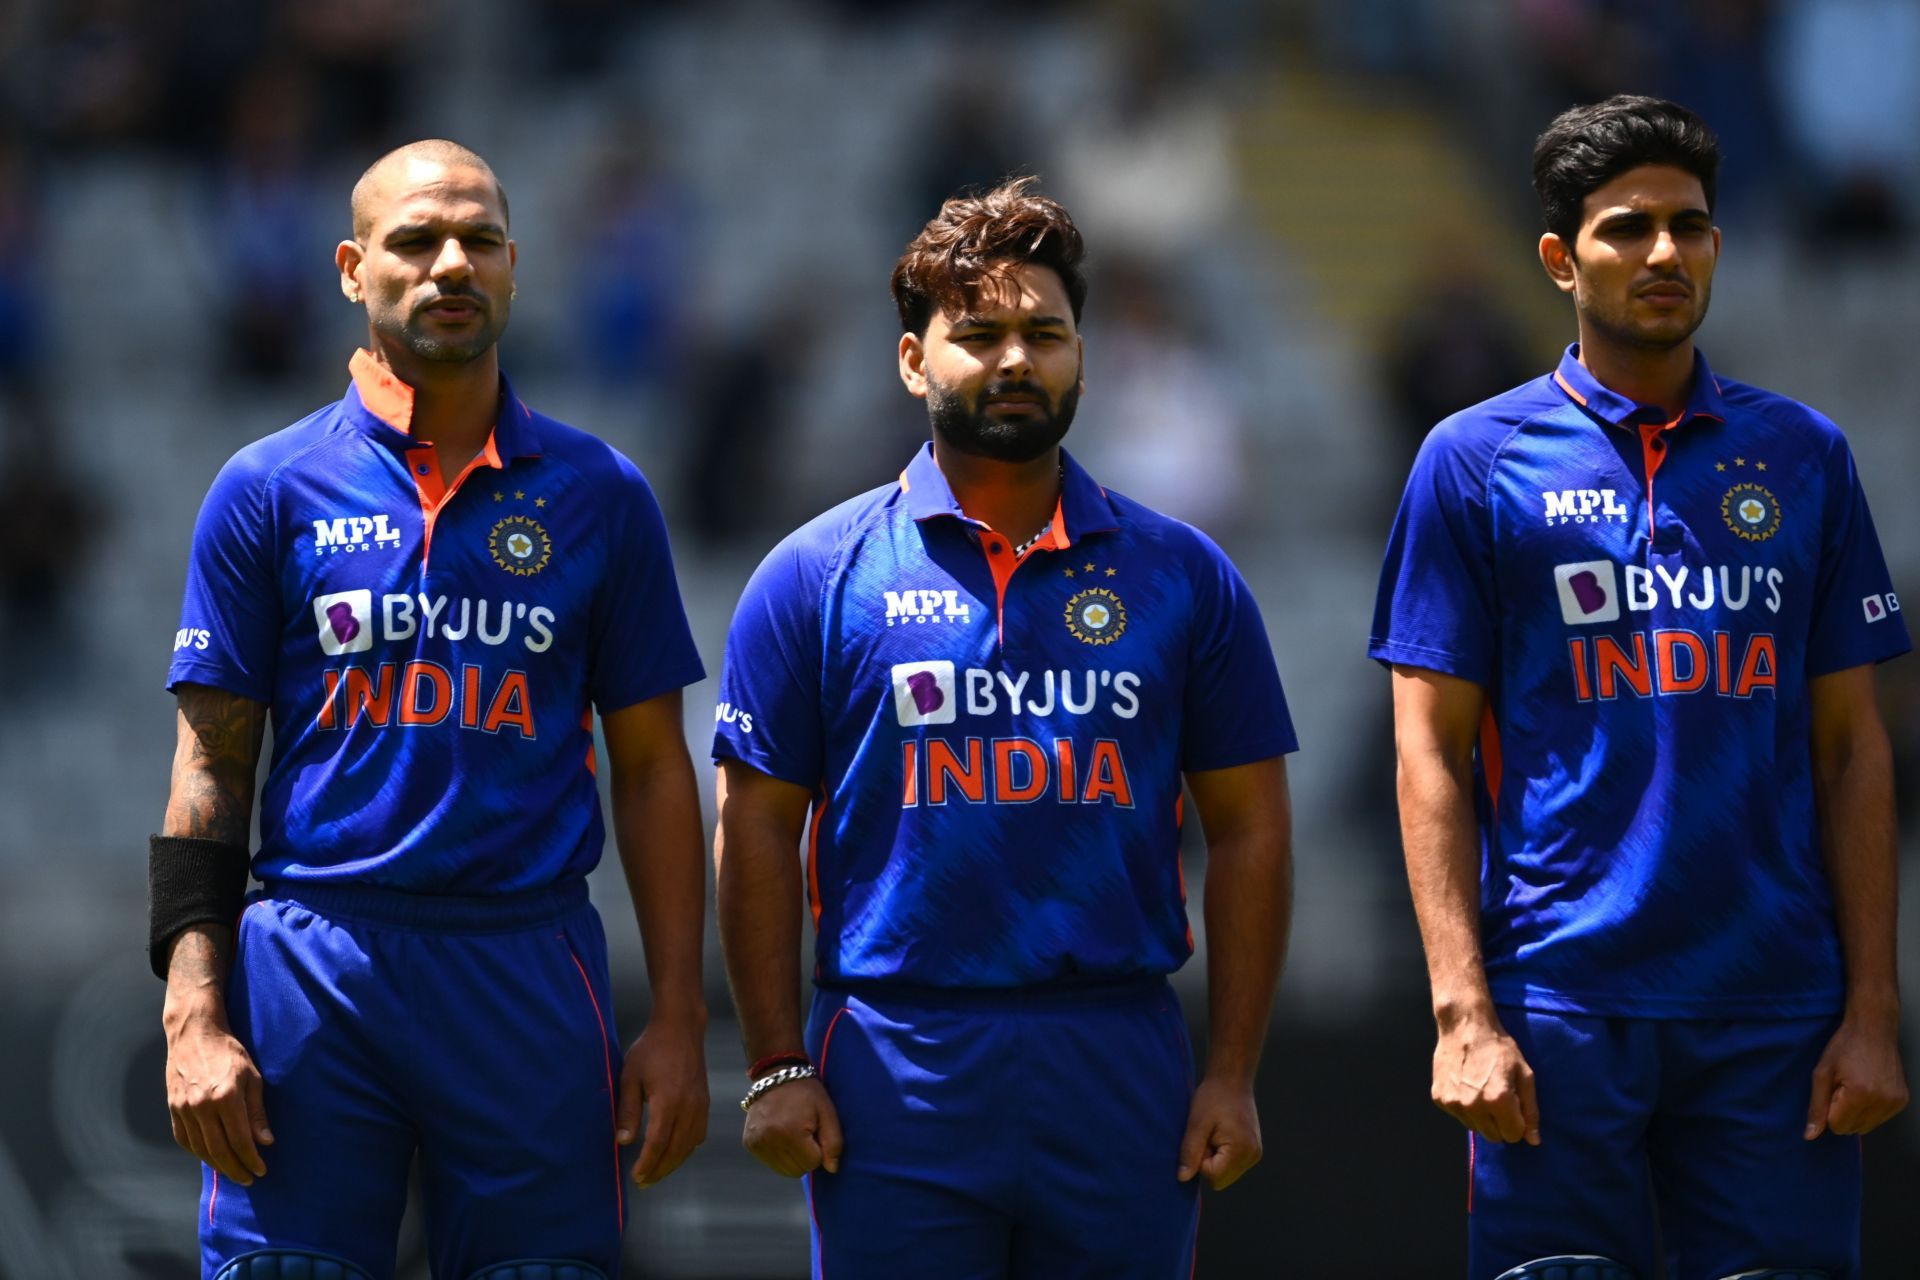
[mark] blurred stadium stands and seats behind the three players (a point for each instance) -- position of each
(1312, 237)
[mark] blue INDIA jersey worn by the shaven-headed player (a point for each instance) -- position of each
(431, 646)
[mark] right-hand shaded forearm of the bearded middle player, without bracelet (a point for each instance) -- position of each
(1249, 907)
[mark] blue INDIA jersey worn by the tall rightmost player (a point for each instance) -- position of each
(1644, 604)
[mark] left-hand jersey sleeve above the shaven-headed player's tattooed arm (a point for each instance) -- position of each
(231, 617)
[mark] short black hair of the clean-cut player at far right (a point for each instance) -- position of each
(1589, 147)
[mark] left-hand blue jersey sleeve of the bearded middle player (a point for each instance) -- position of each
(769, 713)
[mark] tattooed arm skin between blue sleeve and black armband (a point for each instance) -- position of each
(214, 765)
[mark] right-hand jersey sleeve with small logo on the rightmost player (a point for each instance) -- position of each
(1856, 613)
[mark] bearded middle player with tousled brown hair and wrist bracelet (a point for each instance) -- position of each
(988, 682)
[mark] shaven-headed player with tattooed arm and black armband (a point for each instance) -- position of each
(429, 588)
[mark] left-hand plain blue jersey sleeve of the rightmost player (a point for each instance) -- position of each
(1435, 607)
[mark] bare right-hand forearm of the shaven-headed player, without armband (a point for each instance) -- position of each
(658, 830)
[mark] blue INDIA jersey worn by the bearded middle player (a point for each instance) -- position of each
(996, 744)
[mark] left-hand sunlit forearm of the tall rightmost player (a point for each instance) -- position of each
(1443, 851)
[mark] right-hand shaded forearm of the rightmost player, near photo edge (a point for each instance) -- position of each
(1860, 845)
